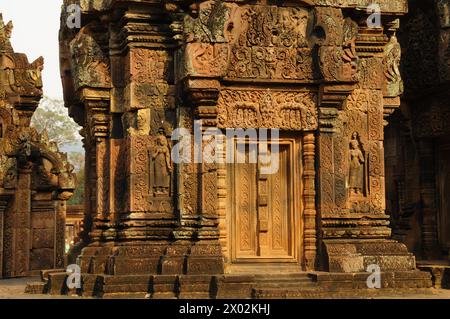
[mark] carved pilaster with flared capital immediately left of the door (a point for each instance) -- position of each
(206, 255)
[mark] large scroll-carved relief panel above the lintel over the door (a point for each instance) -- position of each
(271, 43)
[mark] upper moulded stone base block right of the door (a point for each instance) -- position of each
(355, 256)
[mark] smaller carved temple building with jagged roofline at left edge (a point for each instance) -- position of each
(36, 179)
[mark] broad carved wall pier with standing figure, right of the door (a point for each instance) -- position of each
(354, 226)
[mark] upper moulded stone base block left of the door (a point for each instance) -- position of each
(161, 258)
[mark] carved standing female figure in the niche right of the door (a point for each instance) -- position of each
(357, 162)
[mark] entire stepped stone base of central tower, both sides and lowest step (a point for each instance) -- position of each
(184, 271)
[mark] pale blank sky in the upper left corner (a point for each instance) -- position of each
(36, 25)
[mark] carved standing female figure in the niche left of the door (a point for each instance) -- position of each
(162, 165)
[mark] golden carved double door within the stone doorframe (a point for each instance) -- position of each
(265, 222)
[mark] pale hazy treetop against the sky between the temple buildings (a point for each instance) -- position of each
(51, 115)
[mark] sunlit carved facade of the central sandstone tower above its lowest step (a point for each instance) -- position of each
(314, 70)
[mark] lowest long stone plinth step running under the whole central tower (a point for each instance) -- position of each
(293, 285)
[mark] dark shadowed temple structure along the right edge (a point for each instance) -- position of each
(418, 137)
